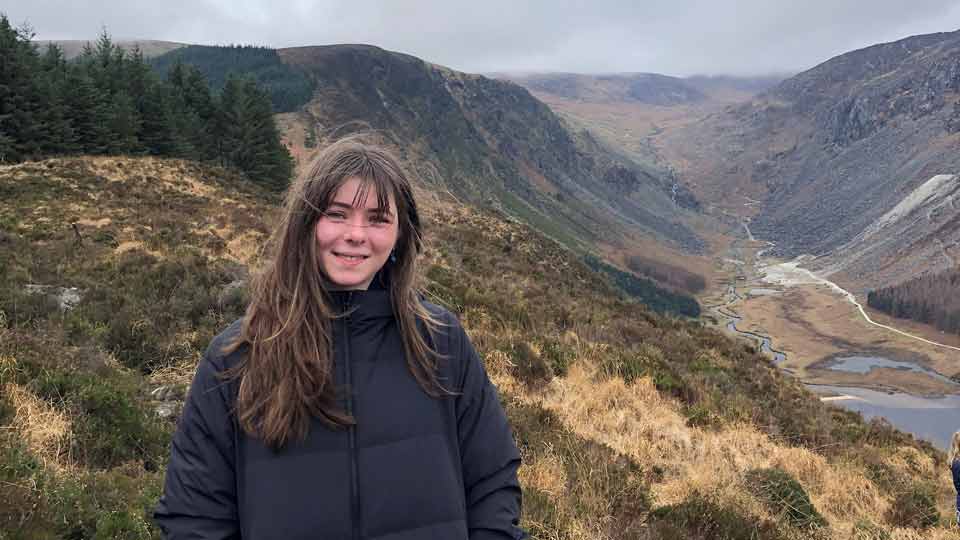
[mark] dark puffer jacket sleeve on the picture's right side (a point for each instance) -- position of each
(488, 454)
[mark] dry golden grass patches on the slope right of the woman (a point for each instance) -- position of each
(639, 422)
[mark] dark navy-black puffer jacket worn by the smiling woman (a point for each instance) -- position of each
(413, 468)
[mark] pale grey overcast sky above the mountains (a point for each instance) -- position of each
(674, 37)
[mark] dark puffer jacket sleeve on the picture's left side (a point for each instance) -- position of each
(199, 498)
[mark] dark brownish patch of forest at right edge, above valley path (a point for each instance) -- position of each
(932, 299)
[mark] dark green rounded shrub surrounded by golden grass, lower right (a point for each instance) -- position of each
(784, 496)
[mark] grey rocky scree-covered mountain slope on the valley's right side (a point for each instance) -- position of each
(831, 151)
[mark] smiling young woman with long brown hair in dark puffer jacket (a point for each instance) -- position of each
(343, 406)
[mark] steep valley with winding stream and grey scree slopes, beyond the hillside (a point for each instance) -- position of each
(851, 164)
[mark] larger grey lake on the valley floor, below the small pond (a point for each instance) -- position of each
(933, 419)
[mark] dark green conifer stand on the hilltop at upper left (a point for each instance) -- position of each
(110, 101)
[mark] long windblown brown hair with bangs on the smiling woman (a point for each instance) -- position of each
(286, 377)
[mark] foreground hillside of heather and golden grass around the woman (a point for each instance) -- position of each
(632, 425)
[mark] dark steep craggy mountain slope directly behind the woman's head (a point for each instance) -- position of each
(490, 142)
